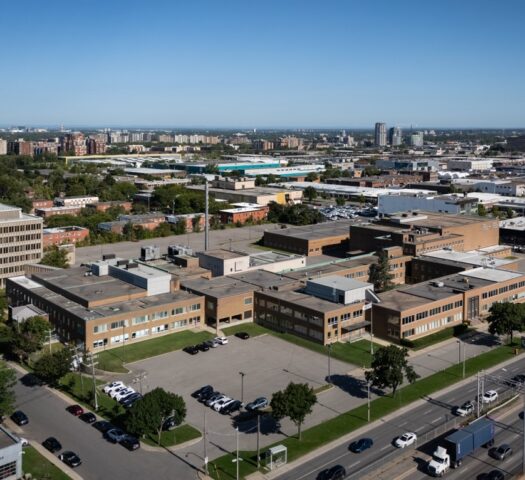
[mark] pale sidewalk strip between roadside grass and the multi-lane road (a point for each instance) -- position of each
(355, 433)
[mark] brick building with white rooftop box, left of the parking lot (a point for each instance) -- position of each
(111, 303)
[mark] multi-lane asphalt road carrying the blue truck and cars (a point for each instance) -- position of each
(434, 412)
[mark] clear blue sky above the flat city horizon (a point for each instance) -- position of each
(266, 63)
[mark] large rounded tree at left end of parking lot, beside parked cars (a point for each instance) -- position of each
(147, 416)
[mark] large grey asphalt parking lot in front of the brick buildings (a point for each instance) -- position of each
(268, 364)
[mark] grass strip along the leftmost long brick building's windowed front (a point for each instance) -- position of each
(113, 360)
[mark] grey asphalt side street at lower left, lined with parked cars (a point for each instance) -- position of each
(100, 459)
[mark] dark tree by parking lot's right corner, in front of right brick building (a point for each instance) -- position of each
(390, 367)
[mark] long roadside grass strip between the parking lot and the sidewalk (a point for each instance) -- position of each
(222, 468)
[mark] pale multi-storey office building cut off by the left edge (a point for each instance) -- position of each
(20, 241)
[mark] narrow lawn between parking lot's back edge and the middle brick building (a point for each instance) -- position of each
(357, 353)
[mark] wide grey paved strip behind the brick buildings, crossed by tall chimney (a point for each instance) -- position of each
(237, 238)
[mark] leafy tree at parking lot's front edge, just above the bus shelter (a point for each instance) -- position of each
(295, 402)
